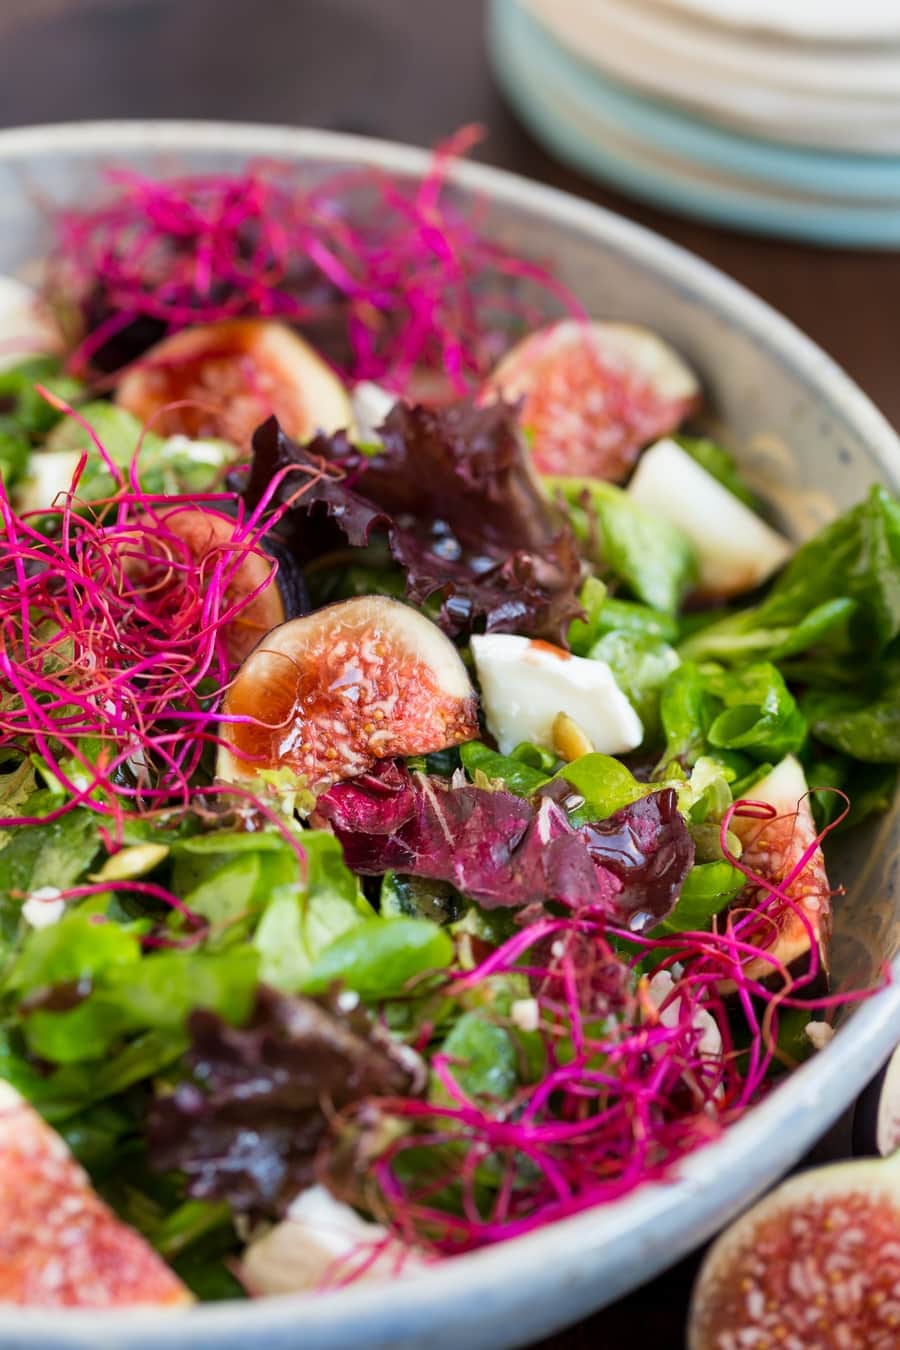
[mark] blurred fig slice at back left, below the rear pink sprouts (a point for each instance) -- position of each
(229, 379)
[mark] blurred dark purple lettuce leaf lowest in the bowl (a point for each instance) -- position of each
(248, 1125)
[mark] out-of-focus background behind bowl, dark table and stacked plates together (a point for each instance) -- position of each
(662, 98)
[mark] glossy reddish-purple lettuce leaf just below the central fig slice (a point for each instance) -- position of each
(503, 850)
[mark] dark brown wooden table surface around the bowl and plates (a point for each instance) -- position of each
(412, 71)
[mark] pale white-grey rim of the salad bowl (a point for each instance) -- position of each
(736, 1160)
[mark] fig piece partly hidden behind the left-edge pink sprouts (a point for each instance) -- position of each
(207, 535)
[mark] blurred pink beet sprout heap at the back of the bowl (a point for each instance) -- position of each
(404, 272)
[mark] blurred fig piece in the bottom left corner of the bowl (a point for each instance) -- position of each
(60, 1245)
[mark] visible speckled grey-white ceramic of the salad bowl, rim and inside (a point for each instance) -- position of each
(802, 429)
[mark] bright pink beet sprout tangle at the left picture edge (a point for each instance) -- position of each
(115, 642)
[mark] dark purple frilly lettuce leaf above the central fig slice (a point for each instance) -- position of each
(454, 493)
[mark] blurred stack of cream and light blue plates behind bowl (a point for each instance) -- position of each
(772, 115)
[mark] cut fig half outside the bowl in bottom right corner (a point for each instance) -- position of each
(814, 1267)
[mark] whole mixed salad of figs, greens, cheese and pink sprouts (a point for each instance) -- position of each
(419, 747)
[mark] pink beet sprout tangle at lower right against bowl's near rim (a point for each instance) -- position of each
(650, 1046)
